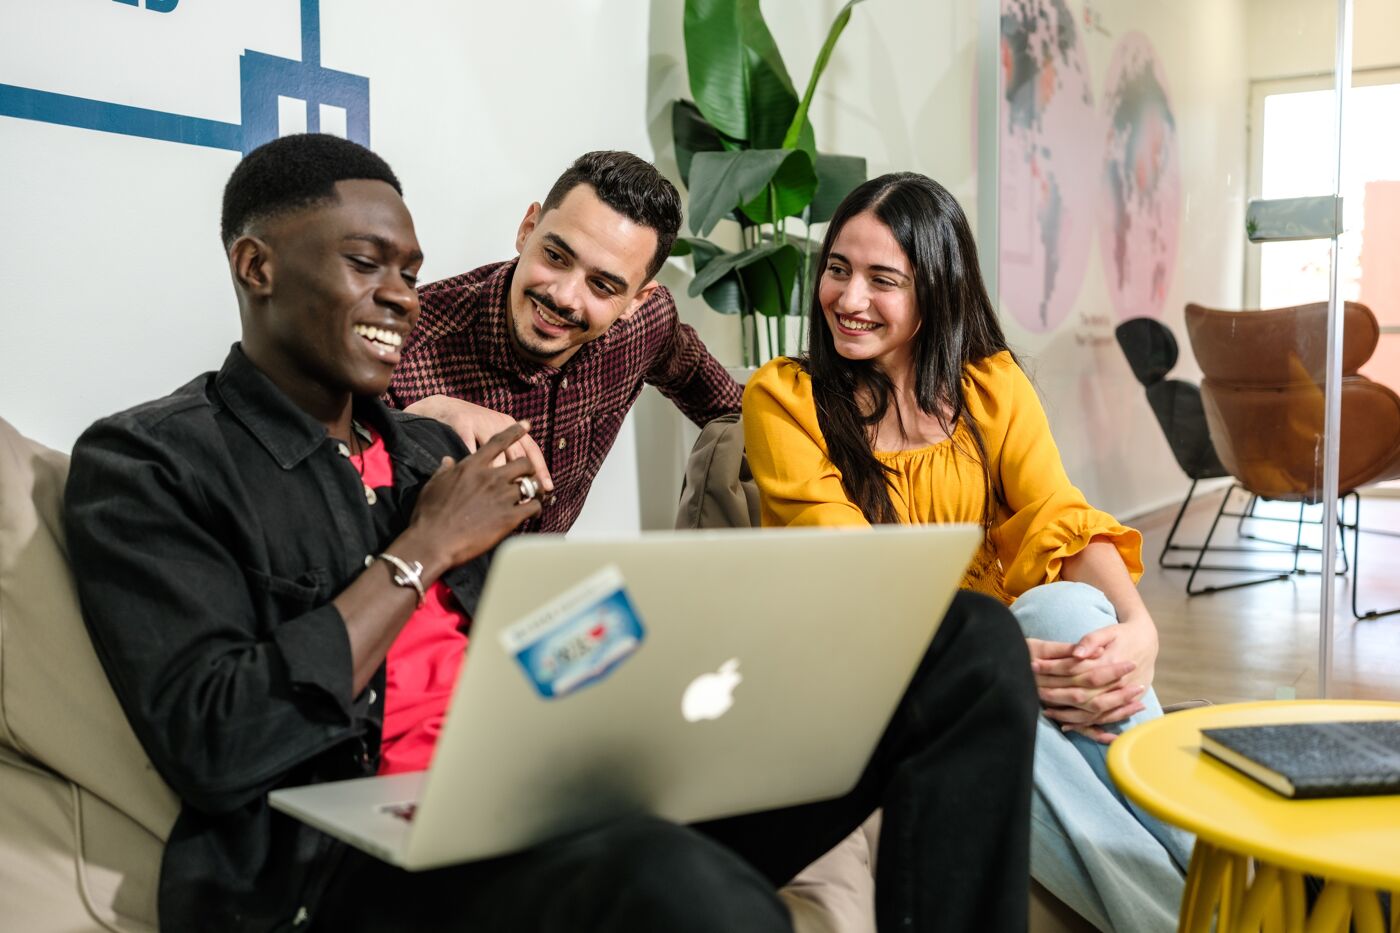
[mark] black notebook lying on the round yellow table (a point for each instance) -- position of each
(1314, 760)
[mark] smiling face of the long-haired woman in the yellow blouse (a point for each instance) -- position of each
(867, 295)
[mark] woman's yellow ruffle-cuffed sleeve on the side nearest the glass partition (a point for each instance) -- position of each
(1045, 518)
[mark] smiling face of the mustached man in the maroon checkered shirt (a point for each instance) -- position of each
(583, 268)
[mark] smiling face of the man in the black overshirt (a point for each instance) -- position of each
(327, 296)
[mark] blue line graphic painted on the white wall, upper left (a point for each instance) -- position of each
(264, 79)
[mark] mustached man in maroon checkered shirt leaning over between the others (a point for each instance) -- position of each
(566, 334)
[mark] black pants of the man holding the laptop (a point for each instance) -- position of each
(953, 773)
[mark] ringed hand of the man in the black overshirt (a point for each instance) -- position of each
(467, 508)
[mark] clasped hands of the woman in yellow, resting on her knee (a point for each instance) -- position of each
(1097, 682)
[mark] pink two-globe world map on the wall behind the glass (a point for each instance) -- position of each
(1073, 170)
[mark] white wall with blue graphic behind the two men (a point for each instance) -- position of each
(117, 288)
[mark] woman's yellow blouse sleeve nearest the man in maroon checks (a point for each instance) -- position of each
(799, 484)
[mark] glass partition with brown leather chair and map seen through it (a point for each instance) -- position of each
(1177, 166)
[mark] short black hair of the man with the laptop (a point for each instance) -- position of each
(292, 173)
